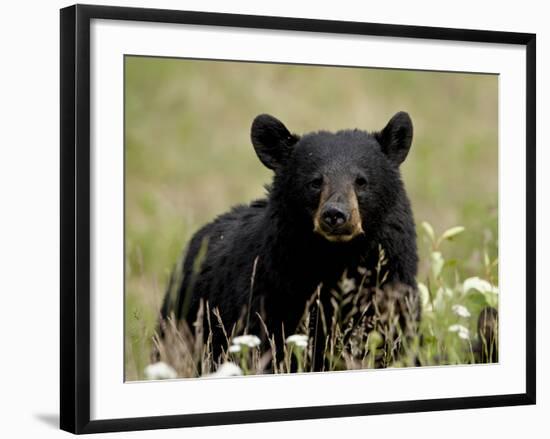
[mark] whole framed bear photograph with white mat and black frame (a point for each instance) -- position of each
(275, 218)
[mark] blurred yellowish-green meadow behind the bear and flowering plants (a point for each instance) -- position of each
(188, 156)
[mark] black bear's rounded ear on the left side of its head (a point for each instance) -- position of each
(272, 141)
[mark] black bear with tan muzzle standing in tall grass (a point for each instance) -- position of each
(336, 204)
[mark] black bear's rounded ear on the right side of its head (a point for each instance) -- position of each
(396, 138)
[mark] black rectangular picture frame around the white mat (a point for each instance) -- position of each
(75, 217)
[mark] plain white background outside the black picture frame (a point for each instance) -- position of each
(29, 206)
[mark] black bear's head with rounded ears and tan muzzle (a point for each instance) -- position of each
(339, 184)
